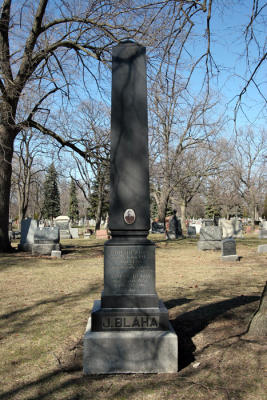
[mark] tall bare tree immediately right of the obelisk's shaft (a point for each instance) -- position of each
(180, 124)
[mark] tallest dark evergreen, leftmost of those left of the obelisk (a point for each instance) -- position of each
(51, 204)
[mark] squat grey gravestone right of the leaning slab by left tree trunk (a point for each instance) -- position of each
(45, 240)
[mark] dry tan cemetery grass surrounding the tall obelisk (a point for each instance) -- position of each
(45, 304)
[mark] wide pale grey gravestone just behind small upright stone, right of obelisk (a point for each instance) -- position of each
(210, 238)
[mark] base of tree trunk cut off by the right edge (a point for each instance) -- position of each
(258, 323)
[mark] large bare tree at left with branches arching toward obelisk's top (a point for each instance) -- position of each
(42, 43)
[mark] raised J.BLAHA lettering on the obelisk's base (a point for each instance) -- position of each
(130, 322)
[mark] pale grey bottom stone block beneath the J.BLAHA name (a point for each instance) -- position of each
(130, 352)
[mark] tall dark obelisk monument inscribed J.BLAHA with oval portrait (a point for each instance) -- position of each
(129, 329)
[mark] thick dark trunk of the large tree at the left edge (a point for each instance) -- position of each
(6, 154)
